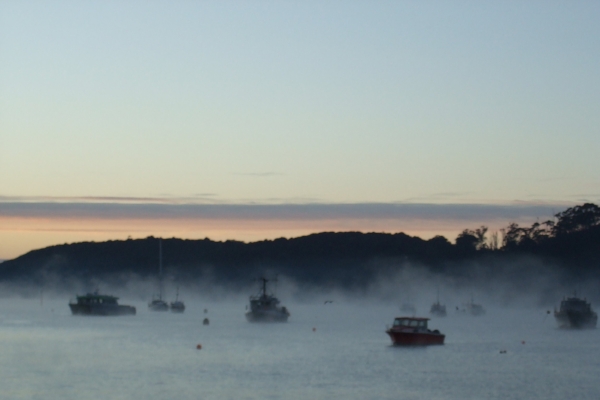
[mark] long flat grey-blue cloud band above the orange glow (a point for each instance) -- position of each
(150, 208)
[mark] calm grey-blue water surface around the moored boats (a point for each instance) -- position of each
(47, 353)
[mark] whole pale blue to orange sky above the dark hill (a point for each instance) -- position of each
(252, 120)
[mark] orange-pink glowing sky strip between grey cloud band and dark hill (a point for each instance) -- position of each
(19, 235)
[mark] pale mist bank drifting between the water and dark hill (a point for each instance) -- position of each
(521, 282)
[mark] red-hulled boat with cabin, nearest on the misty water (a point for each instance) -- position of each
(412, 331)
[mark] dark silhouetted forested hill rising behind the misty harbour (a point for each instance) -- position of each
(571, 243)
